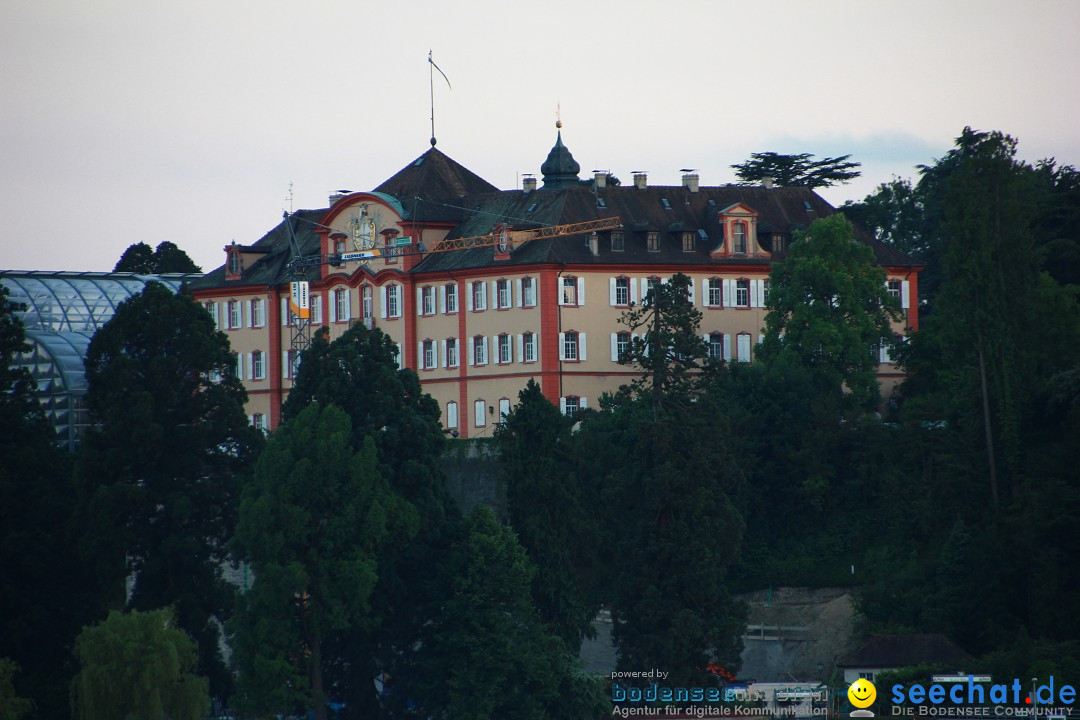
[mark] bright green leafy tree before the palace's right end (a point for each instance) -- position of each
(829, 311)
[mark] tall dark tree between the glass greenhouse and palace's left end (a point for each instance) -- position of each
(163, 474)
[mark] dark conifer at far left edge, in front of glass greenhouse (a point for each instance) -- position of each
(47, 593)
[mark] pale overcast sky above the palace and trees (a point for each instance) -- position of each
(150, 120)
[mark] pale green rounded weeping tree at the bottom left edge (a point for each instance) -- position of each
(138, 665)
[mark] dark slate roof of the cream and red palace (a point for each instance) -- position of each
(435, 188)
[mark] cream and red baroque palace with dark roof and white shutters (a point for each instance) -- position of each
(478, 323)
